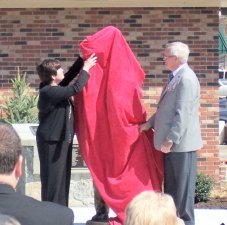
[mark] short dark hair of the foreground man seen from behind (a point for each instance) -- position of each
(10, 148)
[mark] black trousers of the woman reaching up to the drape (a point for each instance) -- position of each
(55, 170)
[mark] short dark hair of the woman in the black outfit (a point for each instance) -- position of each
(47, 69)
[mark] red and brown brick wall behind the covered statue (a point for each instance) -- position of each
(29, 35)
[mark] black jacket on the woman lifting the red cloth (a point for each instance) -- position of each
(54, 105)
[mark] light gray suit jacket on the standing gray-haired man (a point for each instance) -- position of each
(177, 115)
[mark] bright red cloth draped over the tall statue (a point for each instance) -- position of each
(122, 161)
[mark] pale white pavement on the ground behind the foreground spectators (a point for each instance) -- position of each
(202, 216)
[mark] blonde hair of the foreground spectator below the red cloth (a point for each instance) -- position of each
(151, 208)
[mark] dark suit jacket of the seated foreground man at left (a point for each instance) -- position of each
(29, 211)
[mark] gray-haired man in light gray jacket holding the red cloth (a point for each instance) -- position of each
(177, 129)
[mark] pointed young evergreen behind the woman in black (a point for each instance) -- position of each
(22, 106)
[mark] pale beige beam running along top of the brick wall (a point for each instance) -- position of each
(109, 3)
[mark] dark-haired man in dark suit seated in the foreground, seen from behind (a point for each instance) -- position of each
(26, 210)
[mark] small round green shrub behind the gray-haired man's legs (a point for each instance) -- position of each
(203, 188)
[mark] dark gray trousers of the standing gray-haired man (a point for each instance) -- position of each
(179, 182)
